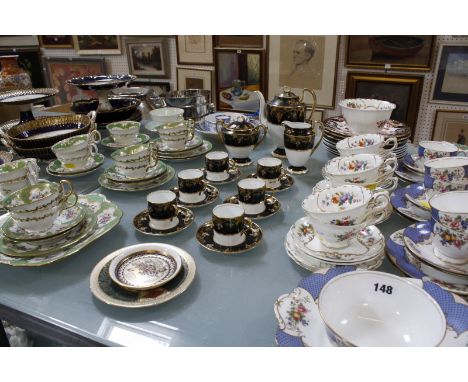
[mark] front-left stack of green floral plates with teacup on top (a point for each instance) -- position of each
(45, 224)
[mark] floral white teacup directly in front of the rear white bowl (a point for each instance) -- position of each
(366, 144)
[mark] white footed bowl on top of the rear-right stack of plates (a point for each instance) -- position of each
(363, 115)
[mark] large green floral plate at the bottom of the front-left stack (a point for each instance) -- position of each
(108, 215)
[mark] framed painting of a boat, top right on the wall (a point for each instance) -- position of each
(390, 52)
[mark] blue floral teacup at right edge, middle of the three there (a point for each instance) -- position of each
(446, 174)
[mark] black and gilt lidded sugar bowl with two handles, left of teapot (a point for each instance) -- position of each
(240, 138)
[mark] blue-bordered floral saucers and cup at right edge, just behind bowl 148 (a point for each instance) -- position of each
(436, 249)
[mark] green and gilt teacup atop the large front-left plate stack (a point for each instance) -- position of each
(35, 207)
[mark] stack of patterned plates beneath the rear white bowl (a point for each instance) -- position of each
(336, 129)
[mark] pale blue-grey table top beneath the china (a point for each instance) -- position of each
(230, 302)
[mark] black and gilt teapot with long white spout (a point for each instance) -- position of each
(285, 106)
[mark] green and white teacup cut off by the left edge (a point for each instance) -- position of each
(18, 174)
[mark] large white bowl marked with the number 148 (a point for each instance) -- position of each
(368, 308)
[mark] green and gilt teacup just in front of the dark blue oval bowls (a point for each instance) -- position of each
(74, 152)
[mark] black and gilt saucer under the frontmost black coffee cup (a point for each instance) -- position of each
(205, 238)
